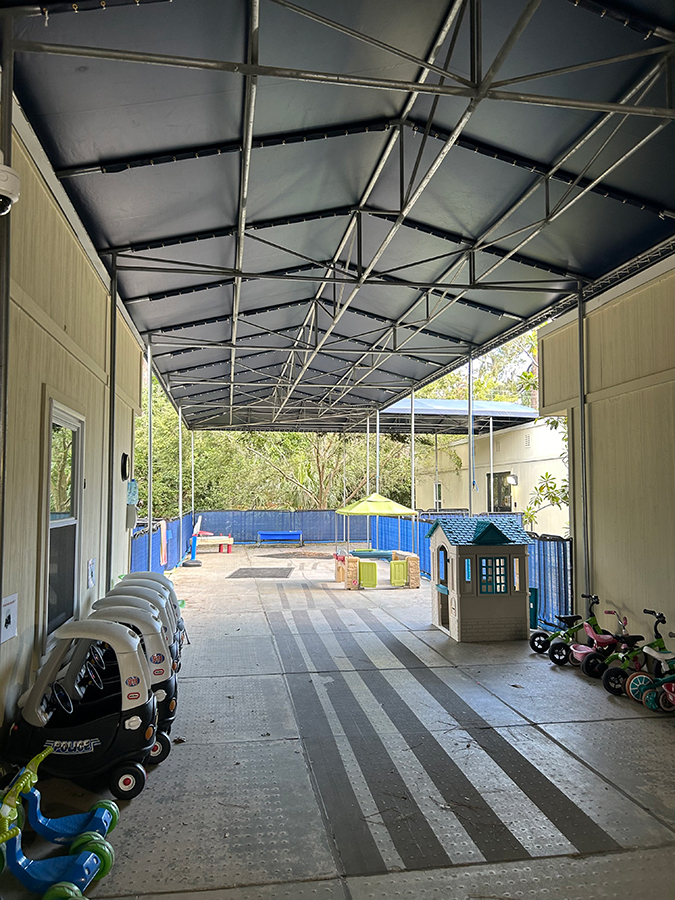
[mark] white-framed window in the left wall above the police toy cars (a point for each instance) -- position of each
(65, 478)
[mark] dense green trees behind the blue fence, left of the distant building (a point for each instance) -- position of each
(262, 470)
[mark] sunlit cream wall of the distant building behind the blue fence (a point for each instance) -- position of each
(527, 451)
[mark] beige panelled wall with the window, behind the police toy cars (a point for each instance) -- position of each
(59, 349)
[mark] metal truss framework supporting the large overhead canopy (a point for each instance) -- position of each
(318, 334)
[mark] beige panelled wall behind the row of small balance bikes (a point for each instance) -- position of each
(630, 414)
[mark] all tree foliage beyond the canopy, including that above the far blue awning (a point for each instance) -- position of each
(298, 470)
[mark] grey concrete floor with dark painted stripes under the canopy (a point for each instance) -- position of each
(333, 745)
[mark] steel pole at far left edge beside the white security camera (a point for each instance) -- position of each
(6, 100)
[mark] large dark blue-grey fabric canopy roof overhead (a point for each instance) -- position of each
(315, 207)
